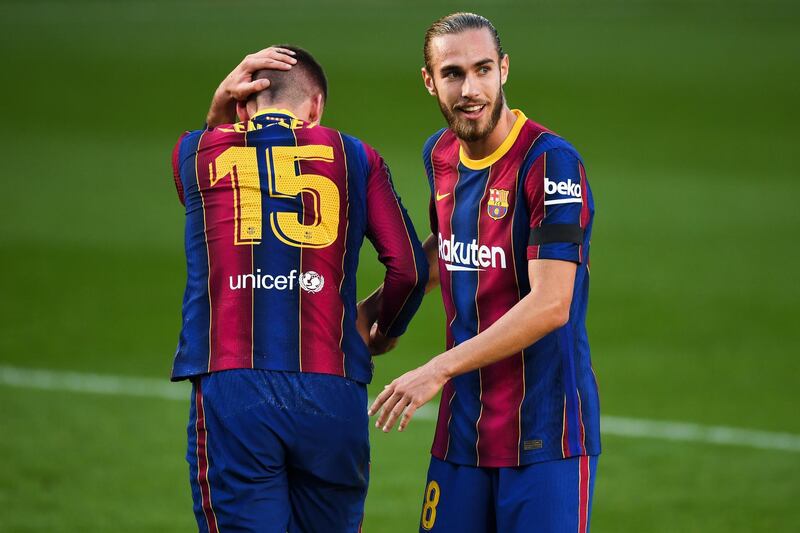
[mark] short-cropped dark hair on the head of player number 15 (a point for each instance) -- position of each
(299, 82)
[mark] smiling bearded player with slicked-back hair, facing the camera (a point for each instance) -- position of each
(517, 439)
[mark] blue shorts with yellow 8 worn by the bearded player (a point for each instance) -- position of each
(548, 497)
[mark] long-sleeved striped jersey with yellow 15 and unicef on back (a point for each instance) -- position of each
(276, 212)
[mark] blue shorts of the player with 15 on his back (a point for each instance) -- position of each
(278, 451)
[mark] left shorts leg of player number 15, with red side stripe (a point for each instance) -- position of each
(236, 458)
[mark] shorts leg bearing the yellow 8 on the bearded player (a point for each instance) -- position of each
(457, 499)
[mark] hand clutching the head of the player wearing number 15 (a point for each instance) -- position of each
(239, 84)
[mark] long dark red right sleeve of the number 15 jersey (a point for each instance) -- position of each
(391, 232)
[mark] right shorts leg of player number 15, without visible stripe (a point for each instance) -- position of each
(329, 456)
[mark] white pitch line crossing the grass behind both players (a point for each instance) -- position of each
(610, 425)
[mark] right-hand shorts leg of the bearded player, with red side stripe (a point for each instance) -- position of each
(549, 497)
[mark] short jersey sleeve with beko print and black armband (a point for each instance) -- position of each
(559, 214)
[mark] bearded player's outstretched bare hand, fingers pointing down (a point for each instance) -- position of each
(406, 394)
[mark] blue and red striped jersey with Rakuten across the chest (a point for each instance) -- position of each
(528, 200)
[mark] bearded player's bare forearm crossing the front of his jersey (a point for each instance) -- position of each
(529, 320)
